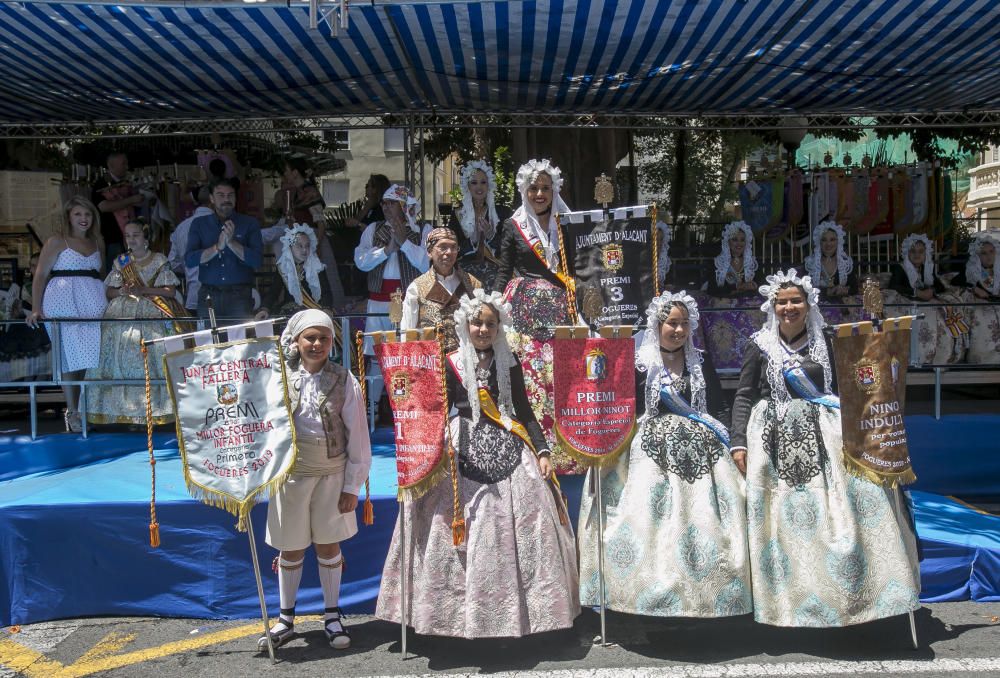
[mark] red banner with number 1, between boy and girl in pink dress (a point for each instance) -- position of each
(413, 380)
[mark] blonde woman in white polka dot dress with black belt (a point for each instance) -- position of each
(68, 284)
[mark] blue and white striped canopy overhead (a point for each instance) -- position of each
(71, 61)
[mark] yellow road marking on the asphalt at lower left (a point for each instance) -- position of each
(101, 657)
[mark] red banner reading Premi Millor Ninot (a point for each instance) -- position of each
(594, 397)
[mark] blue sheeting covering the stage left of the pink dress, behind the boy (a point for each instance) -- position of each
(75, 543)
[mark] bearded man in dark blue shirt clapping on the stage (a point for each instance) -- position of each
(227, 249)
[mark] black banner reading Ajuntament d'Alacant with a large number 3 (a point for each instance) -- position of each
(612, 262)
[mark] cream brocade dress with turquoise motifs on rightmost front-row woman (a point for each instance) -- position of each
(826, 548)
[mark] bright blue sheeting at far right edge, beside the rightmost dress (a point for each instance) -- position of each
(960, 546)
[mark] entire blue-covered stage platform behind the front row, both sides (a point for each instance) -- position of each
(74, 518)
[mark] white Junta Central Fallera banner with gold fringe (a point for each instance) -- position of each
(234, 426)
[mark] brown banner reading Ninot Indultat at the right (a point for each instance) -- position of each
(871, 372)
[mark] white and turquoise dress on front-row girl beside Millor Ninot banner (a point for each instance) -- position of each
(675, 535)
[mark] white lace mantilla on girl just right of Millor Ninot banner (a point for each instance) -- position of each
(648, 359)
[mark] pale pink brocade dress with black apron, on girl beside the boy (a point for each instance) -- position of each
(515, 574)
